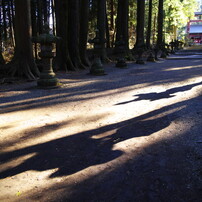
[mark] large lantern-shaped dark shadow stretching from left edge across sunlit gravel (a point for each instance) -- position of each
(77, 152)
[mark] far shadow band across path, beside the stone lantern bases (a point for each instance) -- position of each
(36, 98)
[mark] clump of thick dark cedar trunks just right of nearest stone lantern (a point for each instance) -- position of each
(72, 43)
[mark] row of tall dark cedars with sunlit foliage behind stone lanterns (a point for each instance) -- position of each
(134, 22)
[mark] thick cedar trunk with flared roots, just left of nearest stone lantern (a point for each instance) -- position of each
(23, 64)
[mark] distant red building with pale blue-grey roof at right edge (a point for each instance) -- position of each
(194, 28)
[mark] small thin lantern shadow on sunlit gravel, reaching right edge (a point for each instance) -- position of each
(162, 95)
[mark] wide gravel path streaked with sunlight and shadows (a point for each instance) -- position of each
(134, 134)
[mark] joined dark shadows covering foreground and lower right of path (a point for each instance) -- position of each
(161, 172)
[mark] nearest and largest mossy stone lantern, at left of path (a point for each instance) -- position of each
(46, 40)
